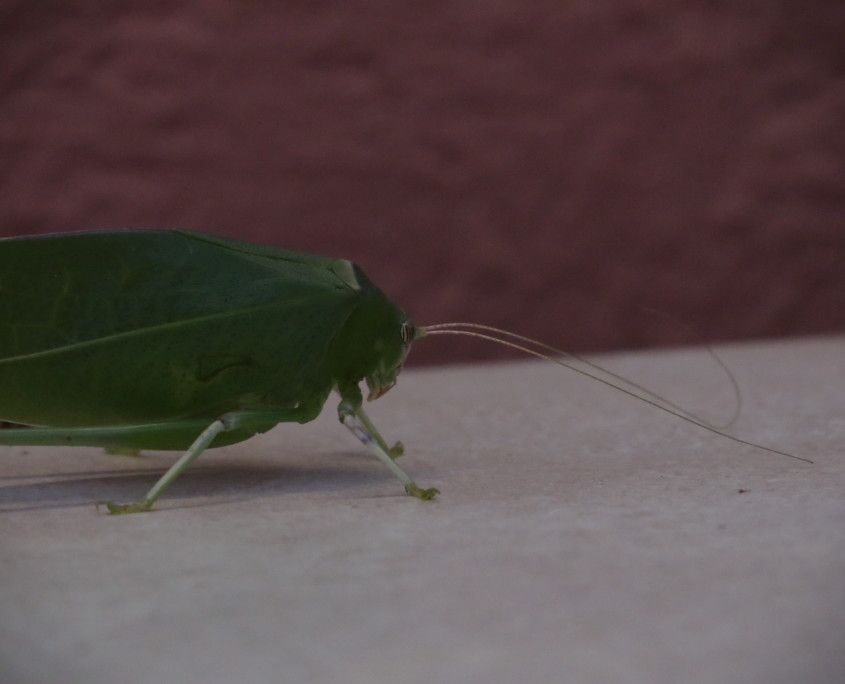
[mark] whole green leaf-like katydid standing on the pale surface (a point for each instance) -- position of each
(176, 340)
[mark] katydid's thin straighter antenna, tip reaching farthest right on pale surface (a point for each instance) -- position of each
(670, 408)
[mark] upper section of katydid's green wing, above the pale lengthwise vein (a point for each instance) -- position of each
(65, 289)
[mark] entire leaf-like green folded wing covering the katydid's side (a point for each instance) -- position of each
(119, 327)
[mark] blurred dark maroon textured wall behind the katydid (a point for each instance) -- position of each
(555, 168)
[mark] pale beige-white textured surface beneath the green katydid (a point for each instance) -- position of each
(580, 537)
